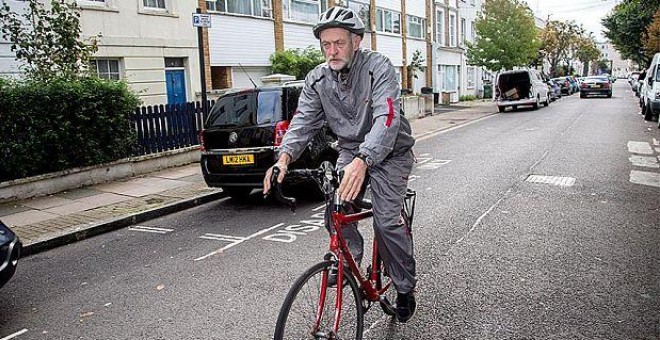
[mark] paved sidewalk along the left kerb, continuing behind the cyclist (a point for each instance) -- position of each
(47, 222)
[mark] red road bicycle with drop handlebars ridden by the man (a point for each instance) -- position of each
(313, 309)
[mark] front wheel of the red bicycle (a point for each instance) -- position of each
(299, 313)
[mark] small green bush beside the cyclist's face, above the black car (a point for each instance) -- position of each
(296, 62)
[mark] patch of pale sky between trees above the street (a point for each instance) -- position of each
(585, 12)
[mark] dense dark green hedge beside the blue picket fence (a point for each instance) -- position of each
(62, 124)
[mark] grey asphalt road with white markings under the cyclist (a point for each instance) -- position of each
(499, 256)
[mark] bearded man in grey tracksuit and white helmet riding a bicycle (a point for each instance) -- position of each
(357, 93)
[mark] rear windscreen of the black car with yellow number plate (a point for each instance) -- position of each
(247, 109)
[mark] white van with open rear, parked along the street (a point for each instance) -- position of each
(524, 87)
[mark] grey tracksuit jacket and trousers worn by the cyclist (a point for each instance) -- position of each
(362, 107)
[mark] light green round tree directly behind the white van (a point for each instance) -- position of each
(506, 36)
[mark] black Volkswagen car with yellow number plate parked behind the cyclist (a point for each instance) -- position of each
(243, 133)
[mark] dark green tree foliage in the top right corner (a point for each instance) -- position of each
(626, 27)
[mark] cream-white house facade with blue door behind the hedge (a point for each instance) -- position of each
(149, 43)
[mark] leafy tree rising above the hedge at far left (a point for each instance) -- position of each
(48, 40)
